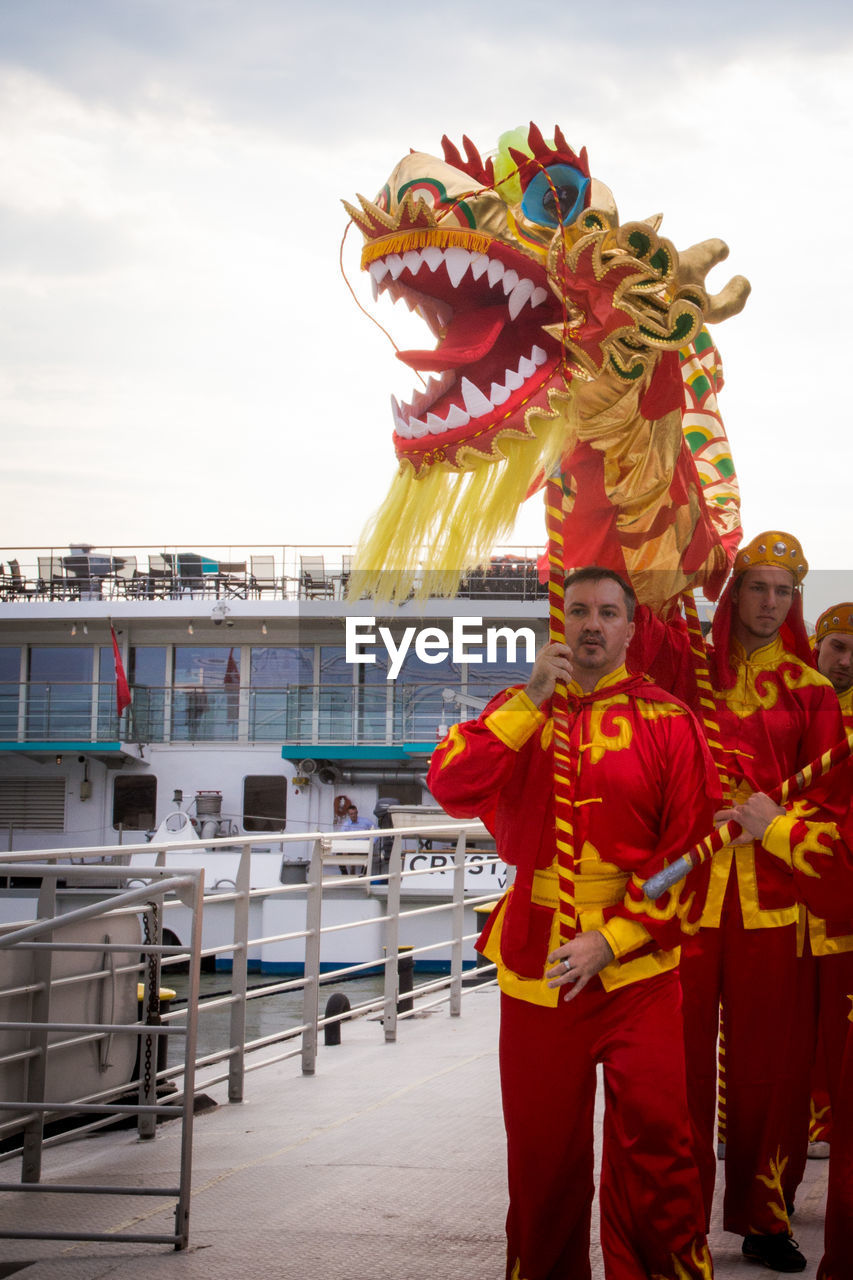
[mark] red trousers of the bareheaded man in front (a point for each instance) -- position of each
(651, 1203)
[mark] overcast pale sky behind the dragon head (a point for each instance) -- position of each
(180, 358)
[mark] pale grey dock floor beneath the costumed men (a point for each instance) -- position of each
(385, 1165)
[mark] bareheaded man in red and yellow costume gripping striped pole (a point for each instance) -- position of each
(609, 994)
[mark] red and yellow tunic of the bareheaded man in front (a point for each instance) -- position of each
(644, 790)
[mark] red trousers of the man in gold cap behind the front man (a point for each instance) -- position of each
(754, 975)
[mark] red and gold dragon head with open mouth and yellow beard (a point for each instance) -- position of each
(571, 349)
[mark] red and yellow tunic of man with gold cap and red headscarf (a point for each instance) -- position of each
(779, 716)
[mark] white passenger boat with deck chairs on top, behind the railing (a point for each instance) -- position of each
(262, 702)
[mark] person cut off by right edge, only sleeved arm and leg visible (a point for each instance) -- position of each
(818, 854)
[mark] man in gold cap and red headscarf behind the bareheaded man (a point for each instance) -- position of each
(776, 715)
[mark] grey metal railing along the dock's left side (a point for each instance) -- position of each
(240, 1055)
